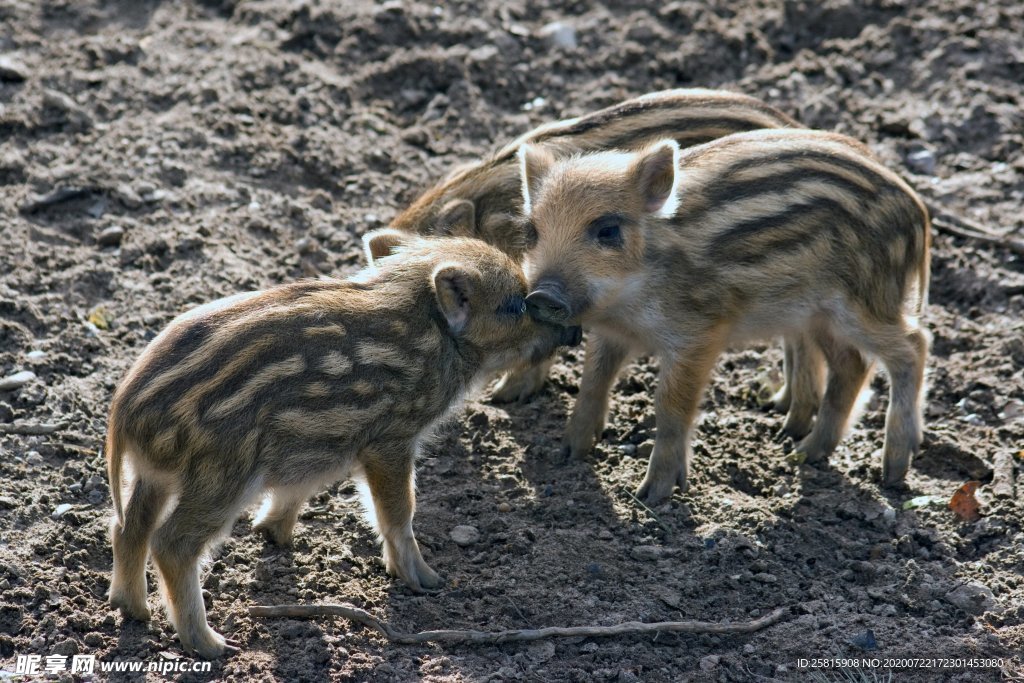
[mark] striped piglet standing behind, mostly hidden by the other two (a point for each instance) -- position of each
(484, 200)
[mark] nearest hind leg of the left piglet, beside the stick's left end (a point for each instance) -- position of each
(204, 510)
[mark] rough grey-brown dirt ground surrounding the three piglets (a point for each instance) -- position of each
(155, 156)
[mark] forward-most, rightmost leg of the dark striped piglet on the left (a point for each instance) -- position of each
(390, 477)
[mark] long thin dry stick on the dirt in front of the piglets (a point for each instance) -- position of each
(630, 628)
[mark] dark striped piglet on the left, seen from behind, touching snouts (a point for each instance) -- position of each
(286, 391)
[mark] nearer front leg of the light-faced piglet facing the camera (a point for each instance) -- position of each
(679, 391)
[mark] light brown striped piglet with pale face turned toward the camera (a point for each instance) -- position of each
(680, 254)
